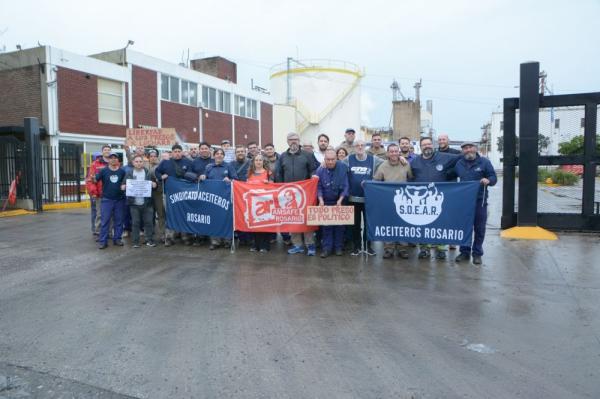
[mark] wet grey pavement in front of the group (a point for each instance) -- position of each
(185, 322)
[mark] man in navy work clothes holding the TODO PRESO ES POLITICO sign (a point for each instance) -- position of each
(331, 190)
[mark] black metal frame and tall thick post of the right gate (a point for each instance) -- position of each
(586, 217)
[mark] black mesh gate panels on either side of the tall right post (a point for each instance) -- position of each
(568, 142)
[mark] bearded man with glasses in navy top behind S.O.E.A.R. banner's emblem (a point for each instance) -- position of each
(432, 166)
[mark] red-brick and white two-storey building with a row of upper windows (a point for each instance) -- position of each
(92, 100)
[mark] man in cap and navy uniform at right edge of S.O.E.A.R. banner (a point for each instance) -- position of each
(473, 167)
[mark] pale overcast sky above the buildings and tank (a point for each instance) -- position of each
(467, 52)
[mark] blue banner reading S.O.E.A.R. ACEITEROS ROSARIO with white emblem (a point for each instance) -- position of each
(421, 213)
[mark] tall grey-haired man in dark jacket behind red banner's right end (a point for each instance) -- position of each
(296, 165)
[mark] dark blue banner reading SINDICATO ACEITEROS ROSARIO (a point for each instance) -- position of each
(199, 208)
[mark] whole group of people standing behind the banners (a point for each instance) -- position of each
(341, 172)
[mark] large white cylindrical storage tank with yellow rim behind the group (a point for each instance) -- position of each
(315, 96)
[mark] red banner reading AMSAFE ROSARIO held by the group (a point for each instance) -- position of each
(273, 207)
